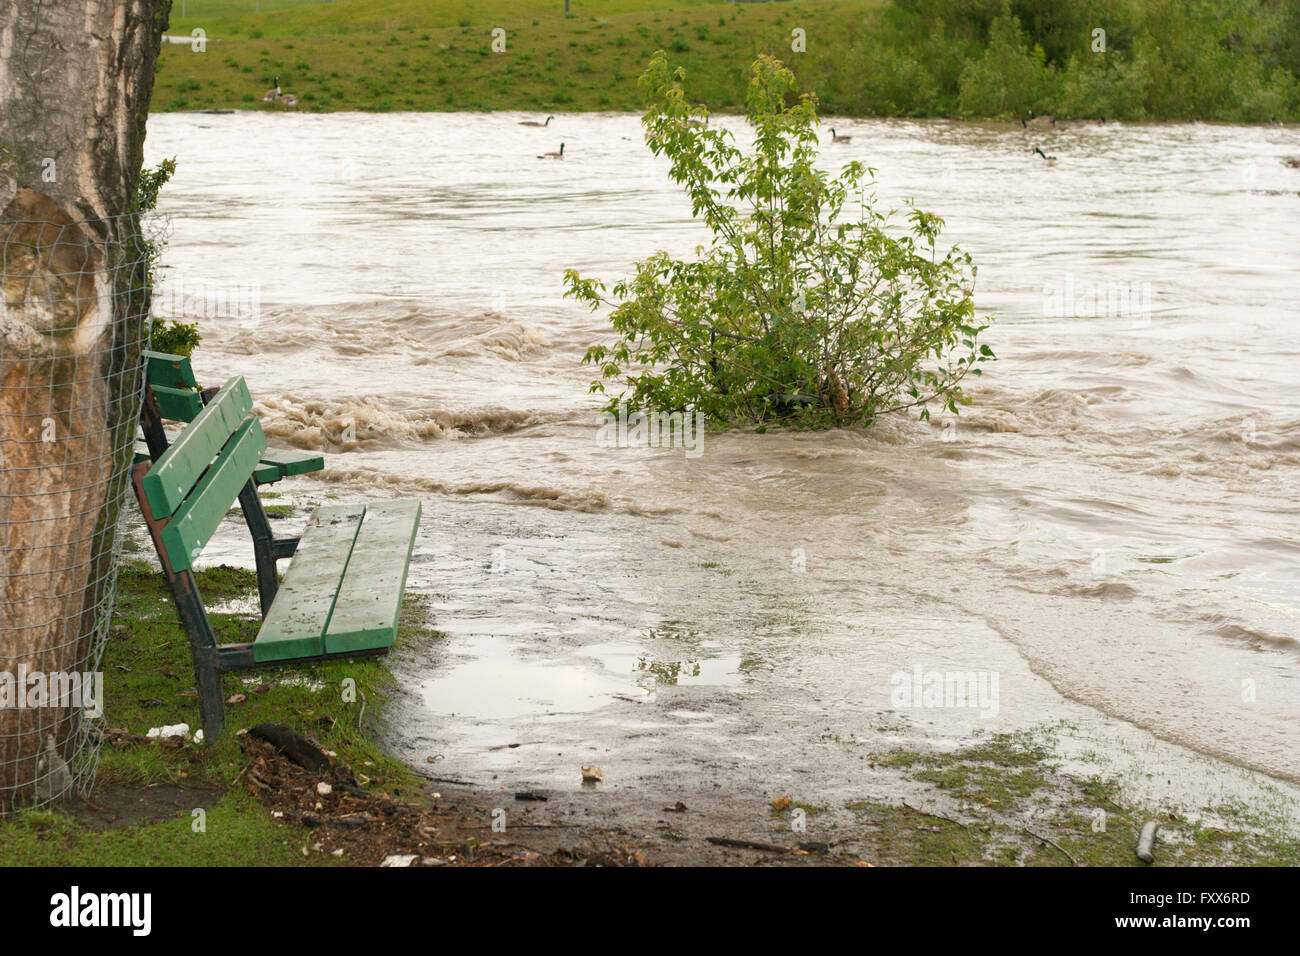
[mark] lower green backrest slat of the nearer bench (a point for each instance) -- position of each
(203, 509)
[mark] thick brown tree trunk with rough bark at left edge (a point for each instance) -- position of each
(76, 80)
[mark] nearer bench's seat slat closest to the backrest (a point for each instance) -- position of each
(296, 625)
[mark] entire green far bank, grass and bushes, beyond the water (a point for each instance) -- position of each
(1232, 60)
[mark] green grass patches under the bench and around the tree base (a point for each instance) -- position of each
(150, 682)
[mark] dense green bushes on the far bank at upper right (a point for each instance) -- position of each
(1233, 60)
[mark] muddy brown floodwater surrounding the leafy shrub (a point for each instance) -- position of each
(1112, 531)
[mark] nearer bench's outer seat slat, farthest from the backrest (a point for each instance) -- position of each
(370, 599)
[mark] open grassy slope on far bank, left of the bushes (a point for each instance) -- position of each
(436, 55)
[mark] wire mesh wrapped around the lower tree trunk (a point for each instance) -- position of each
(73, 321)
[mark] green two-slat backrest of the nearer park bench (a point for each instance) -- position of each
(202, 473)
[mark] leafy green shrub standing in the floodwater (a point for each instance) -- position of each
(809, 306)
